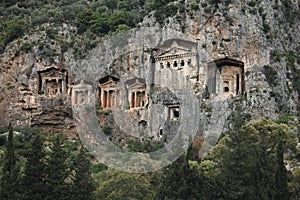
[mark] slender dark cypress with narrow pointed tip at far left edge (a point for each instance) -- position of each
(10, 177)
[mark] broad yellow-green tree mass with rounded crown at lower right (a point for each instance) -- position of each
(250, 162)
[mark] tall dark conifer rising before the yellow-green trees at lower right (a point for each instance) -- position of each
(231, 184)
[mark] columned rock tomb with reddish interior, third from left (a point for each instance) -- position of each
(109, 92)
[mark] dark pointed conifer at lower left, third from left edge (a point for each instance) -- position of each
(57, 172)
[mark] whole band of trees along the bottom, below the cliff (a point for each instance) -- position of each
(247, 163)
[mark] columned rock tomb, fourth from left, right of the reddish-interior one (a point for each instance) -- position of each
(136, 92)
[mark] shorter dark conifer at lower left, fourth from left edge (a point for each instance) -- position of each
(83, 187)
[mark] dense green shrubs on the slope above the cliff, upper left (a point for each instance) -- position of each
(92, 18)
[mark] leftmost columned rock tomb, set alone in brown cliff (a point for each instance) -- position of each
(53, 82)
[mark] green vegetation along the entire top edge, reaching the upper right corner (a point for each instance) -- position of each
(92, 19)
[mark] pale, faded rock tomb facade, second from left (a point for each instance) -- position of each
(81, 93)
